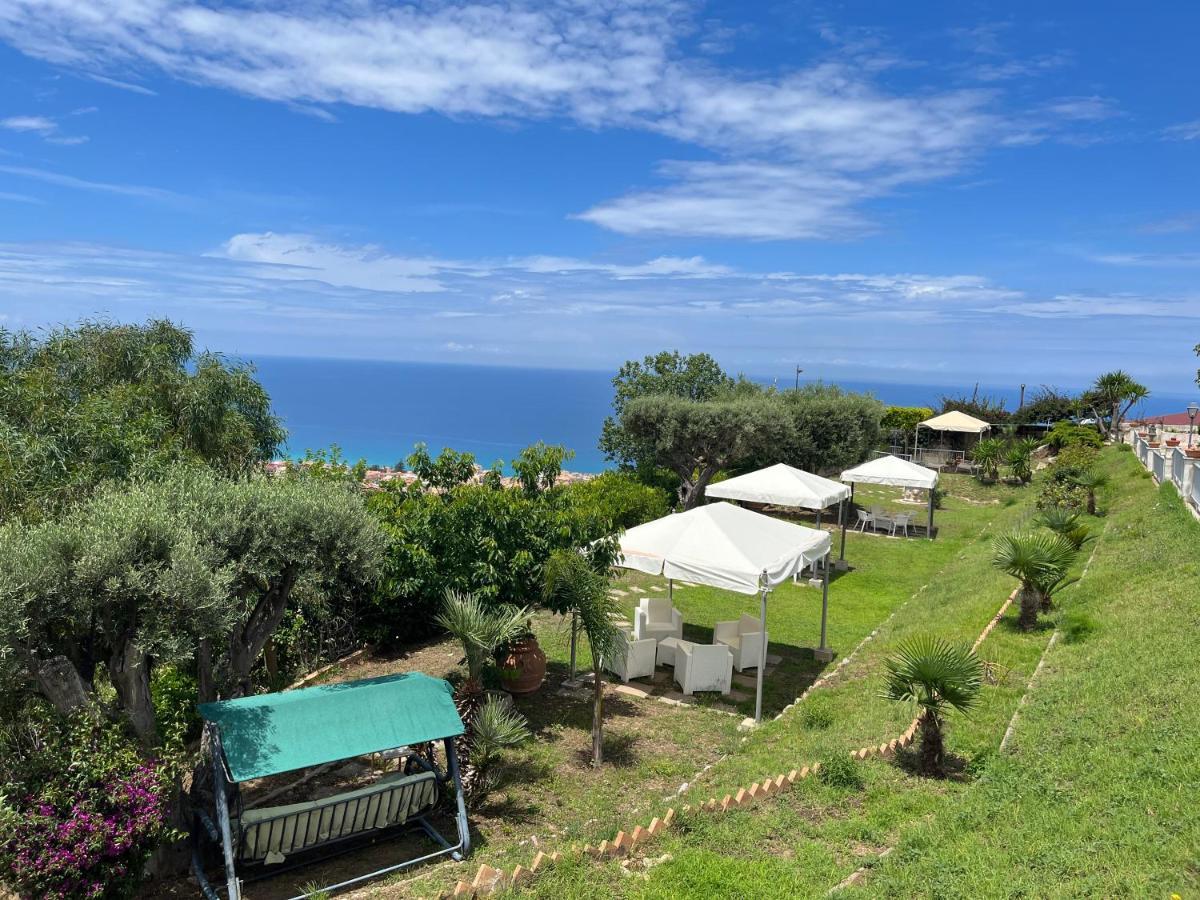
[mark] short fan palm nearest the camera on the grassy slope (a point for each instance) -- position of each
(937, 676)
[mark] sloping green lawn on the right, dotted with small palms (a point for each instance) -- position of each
(1095, 796)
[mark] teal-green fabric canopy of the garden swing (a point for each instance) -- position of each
(271, 734)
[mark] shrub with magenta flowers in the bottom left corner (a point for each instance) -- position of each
(81, 812)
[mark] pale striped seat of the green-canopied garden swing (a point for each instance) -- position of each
(277, 832)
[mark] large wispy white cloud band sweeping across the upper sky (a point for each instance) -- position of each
(799, 153)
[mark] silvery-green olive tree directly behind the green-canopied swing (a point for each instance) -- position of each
(194, 569)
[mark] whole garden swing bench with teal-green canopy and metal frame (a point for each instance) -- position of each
(274, 734)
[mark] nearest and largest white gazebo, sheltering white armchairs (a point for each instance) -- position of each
(730, 548)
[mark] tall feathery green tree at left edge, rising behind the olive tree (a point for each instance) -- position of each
(95, 403)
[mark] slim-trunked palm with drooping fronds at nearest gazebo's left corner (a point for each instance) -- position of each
(573, 586)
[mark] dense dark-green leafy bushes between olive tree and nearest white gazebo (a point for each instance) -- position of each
(475, 538)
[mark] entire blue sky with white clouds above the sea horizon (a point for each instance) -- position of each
(937, 193)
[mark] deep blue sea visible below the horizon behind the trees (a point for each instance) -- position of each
(380, 411)
